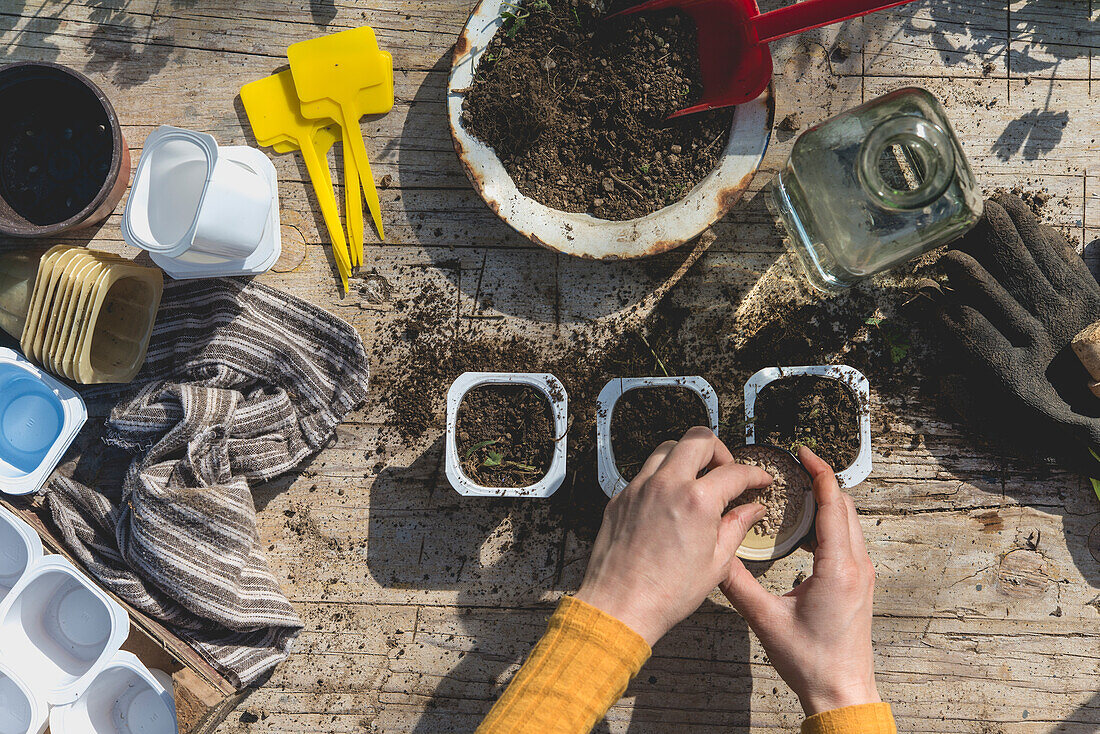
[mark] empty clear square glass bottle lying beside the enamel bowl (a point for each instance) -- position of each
(874, 188)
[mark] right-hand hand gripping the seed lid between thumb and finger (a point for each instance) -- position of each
(819, 636)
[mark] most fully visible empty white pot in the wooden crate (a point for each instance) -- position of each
(59, 630)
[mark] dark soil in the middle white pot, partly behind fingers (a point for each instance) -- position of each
(646, 418)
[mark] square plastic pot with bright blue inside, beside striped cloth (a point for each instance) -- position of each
(40, 418)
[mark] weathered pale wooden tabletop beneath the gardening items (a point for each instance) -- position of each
(419, 605)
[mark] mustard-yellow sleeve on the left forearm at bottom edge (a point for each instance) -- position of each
(577, 672)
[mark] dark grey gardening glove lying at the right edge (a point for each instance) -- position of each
(1019, 294)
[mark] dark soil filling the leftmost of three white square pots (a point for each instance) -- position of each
(505, 435)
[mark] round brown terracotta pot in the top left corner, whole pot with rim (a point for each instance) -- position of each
(64, 163)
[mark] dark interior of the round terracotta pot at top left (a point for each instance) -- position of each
(57, 147)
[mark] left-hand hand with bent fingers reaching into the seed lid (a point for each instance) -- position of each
(665, 544)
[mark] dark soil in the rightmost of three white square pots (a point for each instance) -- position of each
(819, 413)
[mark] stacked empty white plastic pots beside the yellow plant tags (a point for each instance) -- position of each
(202, 211)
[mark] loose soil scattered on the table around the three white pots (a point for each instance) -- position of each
(695, 331)
